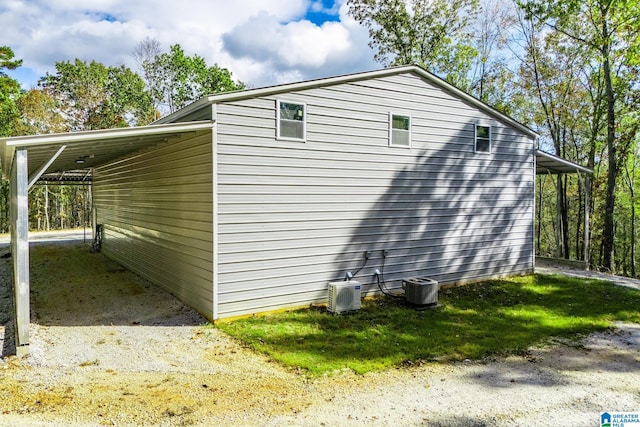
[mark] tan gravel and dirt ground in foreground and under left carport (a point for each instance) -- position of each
(108, 348)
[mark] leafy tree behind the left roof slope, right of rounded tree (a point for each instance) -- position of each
(176, 79)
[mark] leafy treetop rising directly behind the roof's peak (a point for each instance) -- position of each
(431, 33)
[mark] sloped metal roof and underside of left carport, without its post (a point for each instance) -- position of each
(85, 150)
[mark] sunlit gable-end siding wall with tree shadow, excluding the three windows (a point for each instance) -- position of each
(296, 215)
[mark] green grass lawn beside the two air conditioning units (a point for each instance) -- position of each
(475, 321)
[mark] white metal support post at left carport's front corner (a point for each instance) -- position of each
(20, 249)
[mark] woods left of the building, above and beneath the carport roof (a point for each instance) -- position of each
(84, 95)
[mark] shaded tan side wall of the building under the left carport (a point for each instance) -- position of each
(157, 208)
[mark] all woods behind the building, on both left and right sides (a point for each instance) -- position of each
(568, 69)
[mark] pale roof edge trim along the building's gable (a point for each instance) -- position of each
(348, 78)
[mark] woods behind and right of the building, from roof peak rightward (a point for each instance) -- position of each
(569, 70)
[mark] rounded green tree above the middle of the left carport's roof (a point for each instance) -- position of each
(94, 96)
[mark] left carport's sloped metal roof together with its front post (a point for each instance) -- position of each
(65, 157)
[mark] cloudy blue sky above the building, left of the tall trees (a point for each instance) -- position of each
(263, 42)
